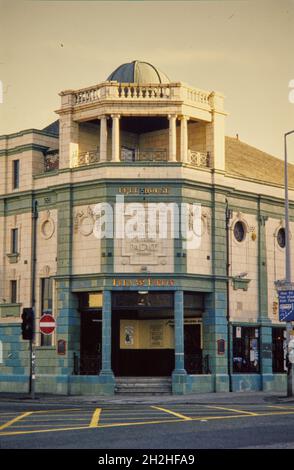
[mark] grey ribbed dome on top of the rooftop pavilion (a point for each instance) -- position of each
(138, 72)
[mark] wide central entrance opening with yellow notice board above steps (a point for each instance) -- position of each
(142, 334)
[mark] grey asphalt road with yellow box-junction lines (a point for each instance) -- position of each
(145, 426)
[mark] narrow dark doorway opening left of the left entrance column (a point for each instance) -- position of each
(91, 342)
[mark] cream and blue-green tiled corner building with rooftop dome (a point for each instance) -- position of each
(148, 315)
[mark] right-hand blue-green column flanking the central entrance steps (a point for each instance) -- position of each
(179, 376)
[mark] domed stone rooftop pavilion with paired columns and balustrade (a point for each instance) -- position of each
(138, 114)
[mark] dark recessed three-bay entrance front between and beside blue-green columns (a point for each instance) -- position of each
(142, 333)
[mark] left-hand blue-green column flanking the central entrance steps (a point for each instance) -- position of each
(106, 371)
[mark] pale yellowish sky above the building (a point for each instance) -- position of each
(242, 48)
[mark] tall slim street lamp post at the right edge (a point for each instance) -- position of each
(288, 264)
